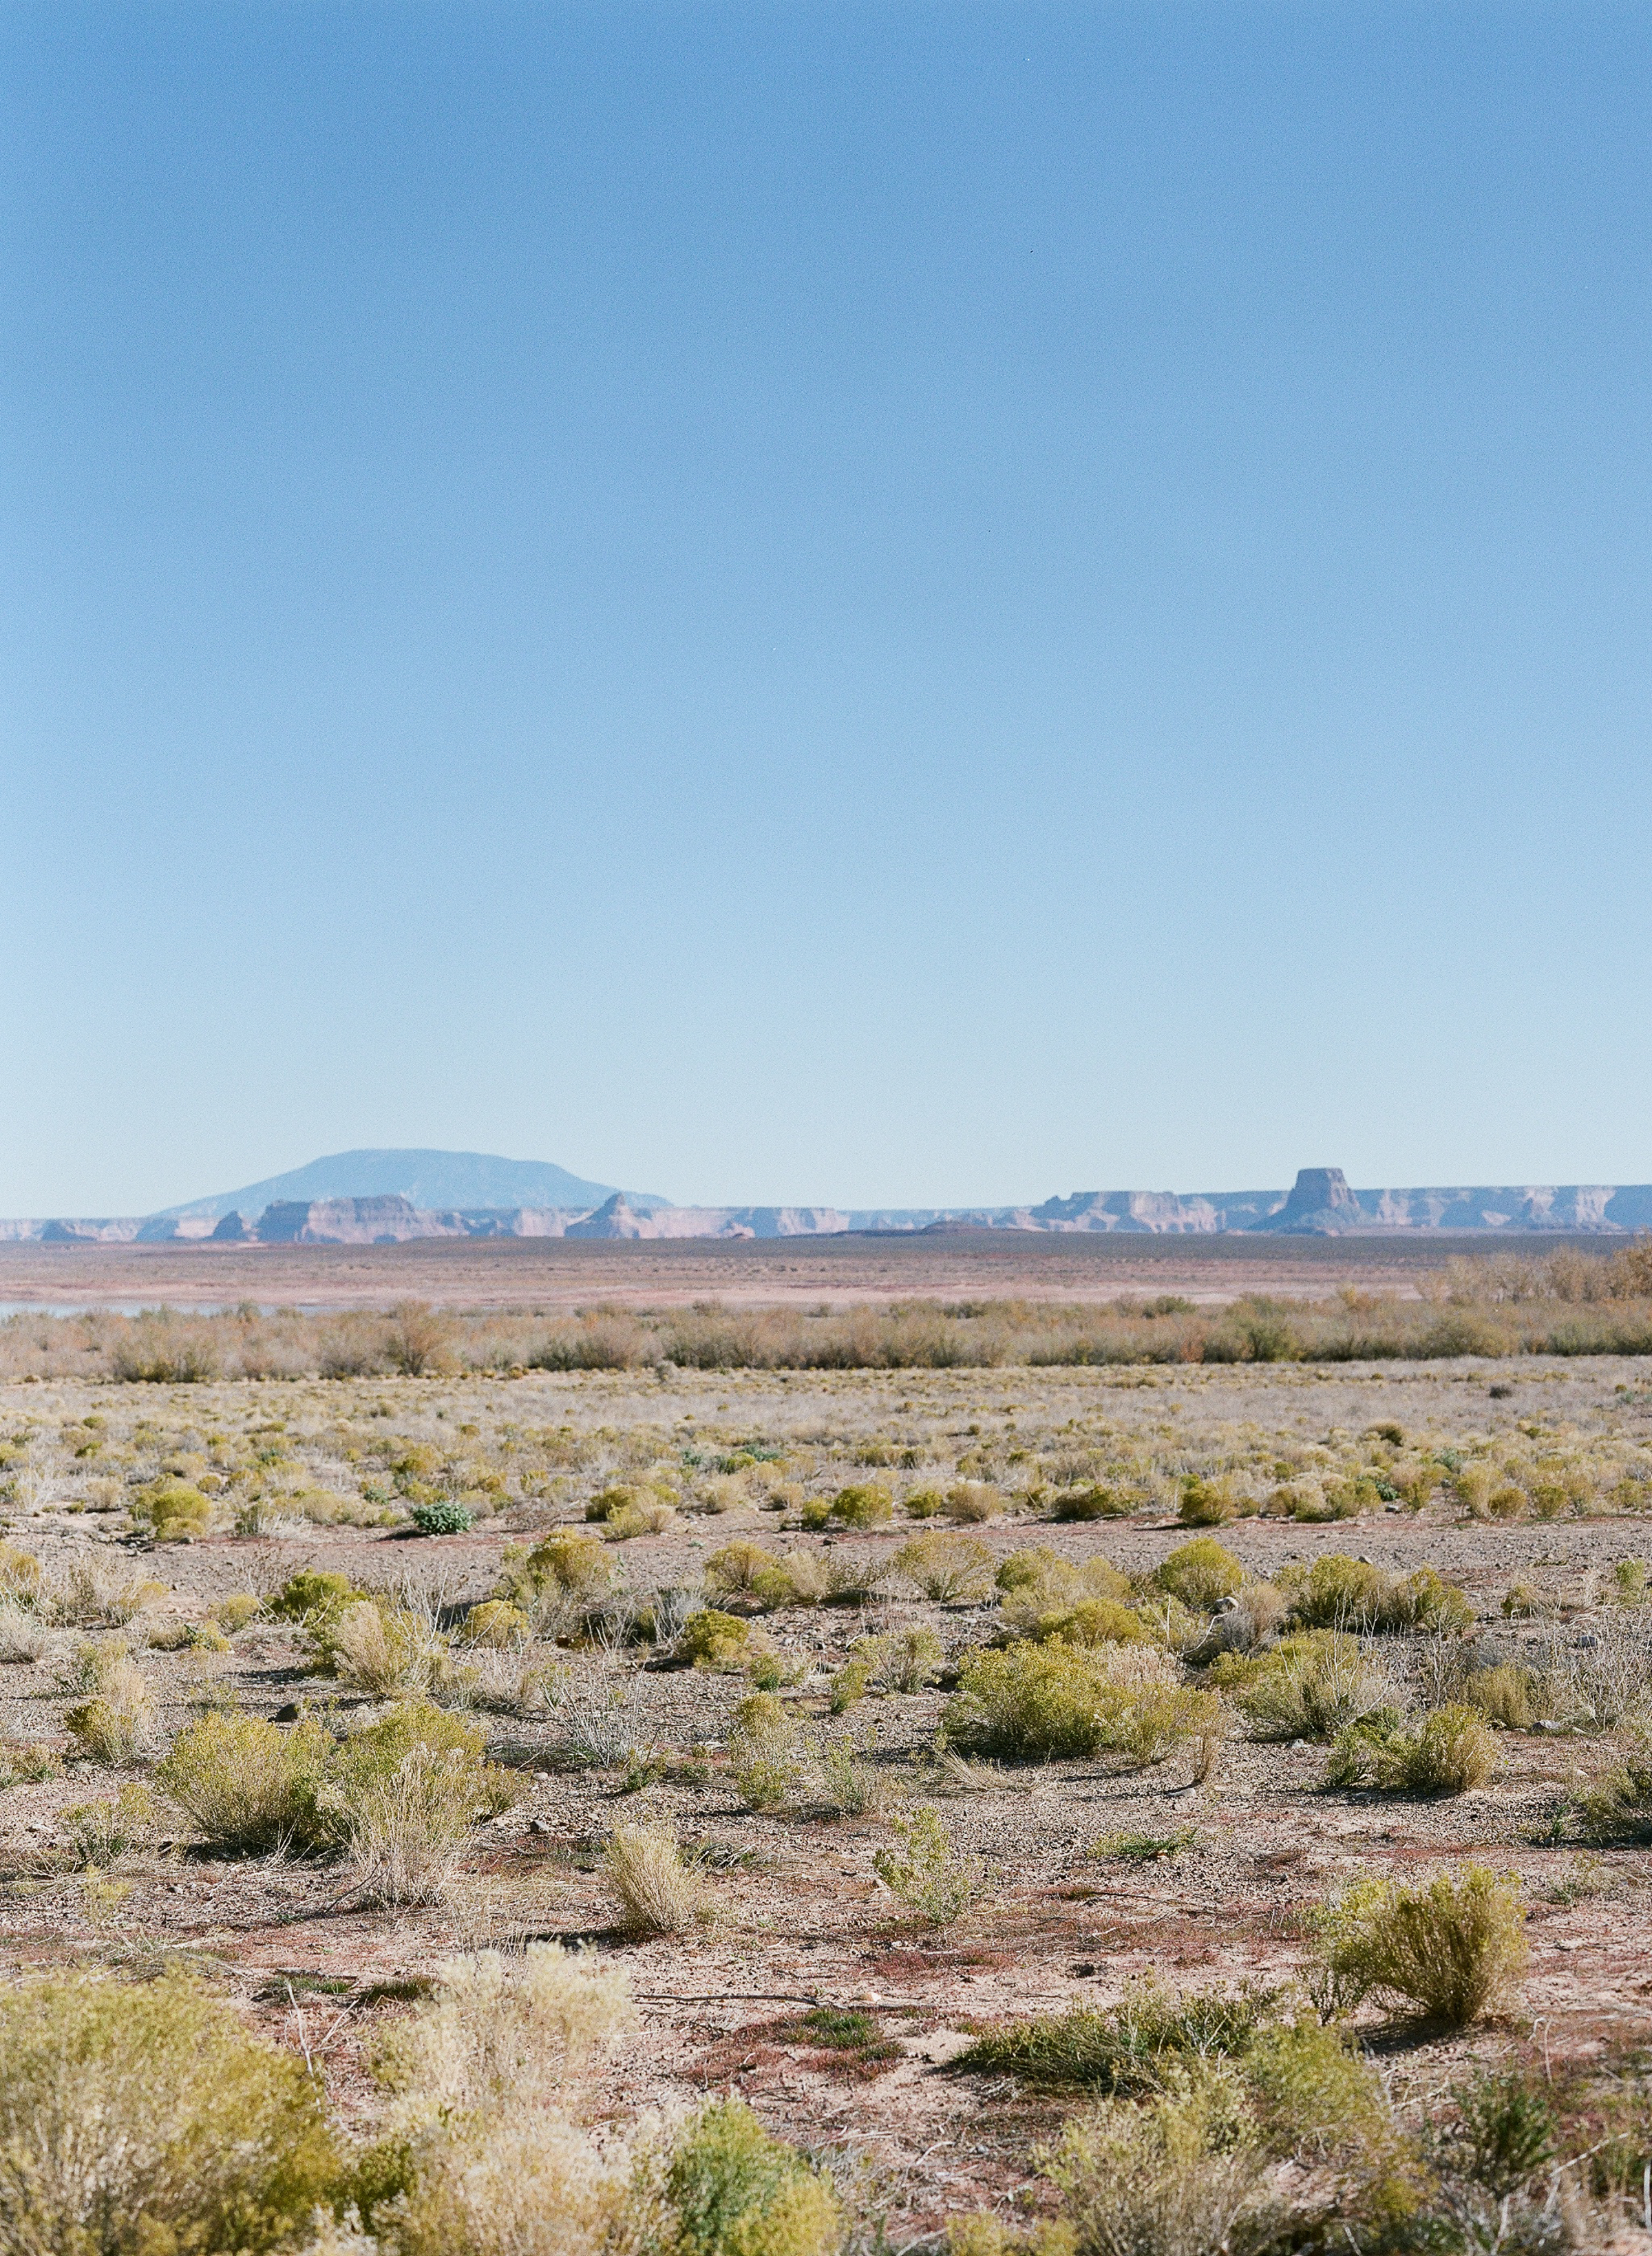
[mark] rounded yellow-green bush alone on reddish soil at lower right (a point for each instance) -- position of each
(1448, 1950)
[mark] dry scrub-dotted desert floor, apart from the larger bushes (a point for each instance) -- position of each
(1245, 1838)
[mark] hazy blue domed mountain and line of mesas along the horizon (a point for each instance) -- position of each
(396, 1197)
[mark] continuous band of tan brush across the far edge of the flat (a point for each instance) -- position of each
(1565, 1305)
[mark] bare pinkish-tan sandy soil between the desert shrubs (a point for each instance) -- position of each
(802, 1916)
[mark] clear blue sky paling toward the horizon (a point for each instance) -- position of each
(825, 601)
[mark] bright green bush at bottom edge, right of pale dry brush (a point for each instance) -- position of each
(739, 2192)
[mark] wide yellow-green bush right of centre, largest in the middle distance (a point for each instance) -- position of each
(1037, 1702)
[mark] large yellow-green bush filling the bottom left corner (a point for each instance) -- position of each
(143, 2117)
